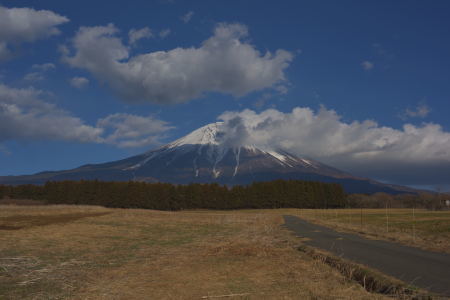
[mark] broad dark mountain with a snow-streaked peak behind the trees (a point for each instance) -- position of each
(208, 155)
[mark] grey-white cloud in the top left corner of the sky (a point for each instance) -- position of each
(19, 25)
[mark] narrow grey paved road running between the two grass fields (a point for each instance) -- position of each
(424, 269)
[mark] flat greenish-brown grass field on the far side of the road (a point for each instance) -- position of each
(426, 229)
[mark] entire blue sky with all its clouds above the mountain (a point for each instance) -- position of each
(361, 85)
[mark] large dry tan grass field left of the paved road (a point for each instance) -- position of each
(81, 252)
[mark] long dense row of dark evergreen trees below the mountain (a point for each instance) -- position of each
(165, 196)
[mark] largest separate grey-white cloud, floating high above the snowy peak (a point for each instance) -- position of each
(223, 63)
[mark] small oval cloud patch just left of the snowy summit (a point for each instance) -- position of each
(127, 130)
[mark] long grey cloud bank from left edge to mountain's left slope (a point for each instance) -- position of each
(25, 116)
